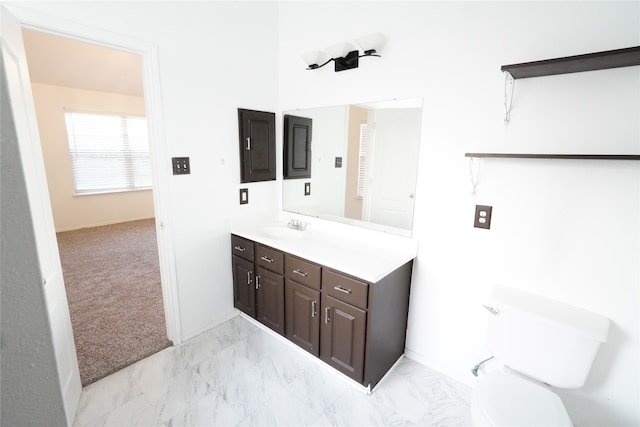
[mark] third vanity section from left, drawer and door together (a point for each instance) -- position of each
(302, 301)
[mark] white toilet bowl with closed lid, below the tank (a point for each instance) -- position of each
(504, 399)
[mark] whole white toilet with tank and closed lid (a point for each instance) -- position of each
(537, 343)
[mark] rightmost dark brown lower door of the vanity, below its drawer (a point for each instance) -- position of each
(343, 337)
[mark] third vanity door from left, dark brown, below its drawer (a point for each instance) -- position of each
(302, 317)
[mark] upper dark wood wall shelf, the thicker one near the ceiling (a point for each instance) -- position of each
(574, 64)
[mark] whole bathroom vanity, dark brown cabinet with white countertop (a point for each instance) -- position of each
(341, 298)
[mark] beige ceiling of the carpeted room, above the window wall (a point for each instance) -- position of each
(65, 62)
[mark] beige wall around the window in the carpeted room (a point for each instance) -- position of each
(71, 212)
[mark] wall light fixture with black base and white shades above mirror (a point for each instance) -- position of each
(345, 55)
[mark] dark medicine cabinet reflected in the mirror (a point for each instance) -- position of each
(297, 147)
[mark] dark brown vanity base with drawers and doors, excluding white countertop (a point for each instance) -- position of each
(355, 326)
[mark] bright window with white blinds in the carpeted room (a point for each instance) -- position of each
(109, 152)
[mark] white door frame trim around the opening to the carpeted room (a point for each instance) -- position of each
(153, 107)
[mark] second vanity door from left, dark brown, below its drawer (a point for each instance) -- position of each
(270, 299)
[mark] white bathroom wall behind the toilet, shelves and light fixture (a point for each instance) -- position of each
(565, 229)
